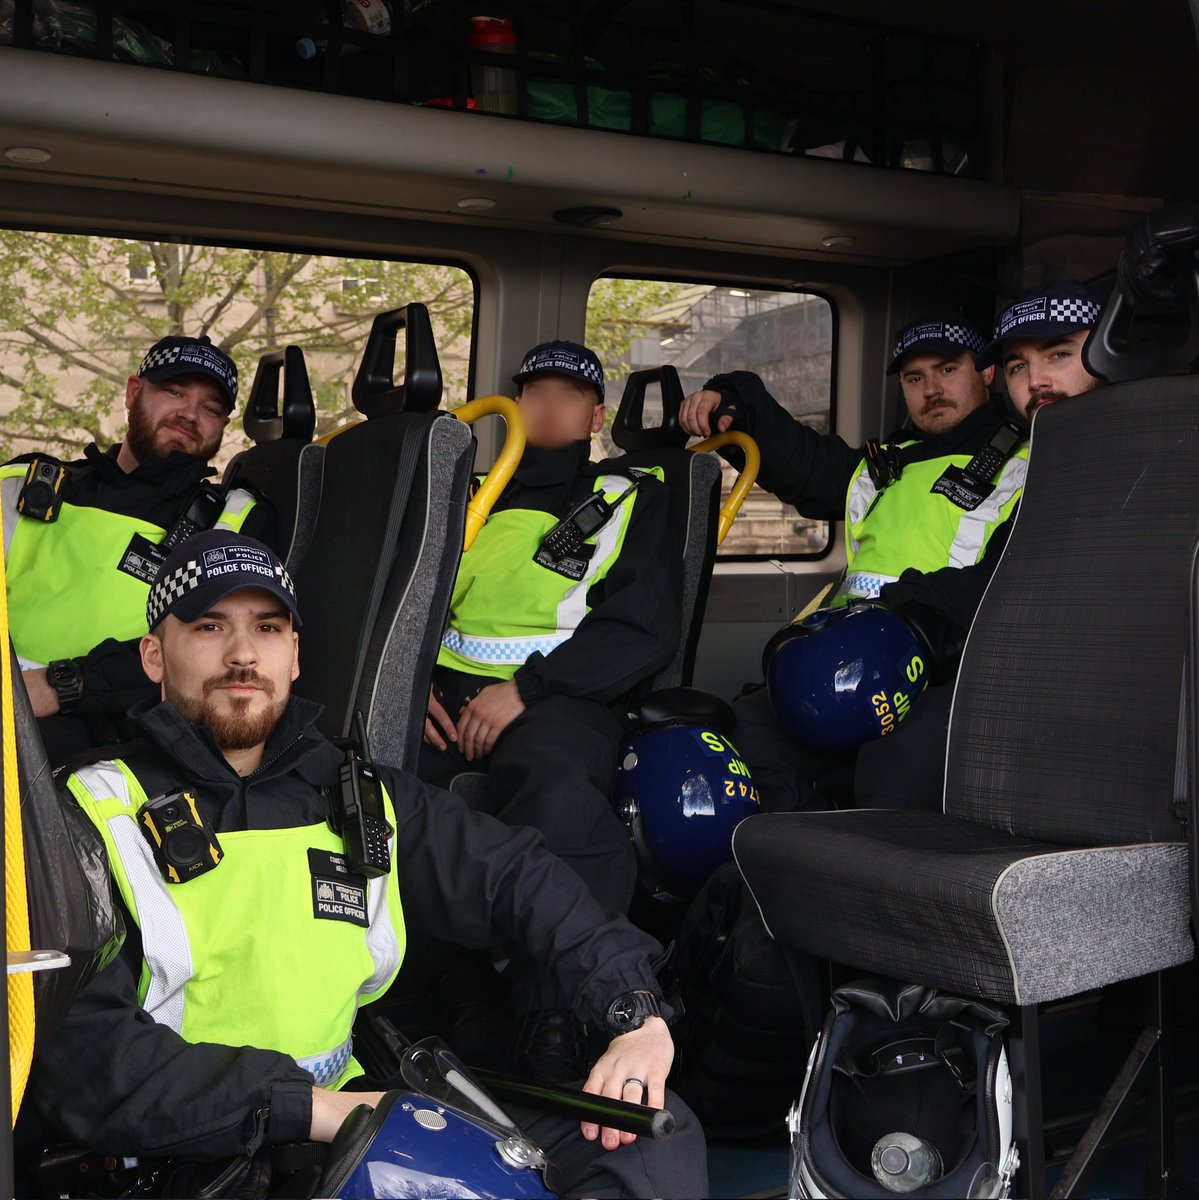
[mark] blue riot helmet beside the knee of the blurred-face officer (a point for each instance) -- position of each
(682, 789)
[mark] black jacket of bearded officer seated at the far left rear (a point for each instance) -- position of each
(157, 491)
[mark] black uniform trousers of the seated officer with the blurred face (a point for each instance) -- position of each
(554, 769)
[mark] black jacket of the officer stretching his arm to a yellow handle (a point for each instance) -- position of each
(814, 472)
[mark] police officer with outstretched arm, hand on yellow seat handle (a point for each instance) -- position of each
(913, 518)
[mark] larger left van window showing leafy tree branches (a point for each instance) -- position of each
(79, 313)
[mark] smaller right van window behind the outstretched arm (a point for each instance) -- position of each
(704, 329)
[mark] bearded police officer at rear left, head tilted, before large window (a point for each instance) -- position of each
(82, 539)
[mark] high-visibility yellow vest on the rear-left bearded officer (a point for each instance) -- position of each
(67, 589)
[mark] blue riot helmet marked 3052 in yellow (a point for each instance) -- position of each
(847, 675)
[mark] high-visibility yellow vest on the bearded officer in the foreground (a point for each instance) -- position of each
(239, 956)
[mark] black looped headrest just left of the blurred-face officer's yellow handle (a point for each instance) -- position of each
(376, 393)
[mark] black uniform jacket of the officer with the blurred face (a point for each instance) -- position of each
(633, 628)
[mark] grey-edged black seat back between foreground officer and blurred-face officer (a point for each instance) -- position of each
(376, 583)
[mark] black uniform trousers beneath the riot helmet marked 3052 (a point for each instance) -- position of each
(906, 771)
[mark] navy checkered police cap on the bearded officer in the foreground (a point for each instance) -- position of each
(207, 568)
